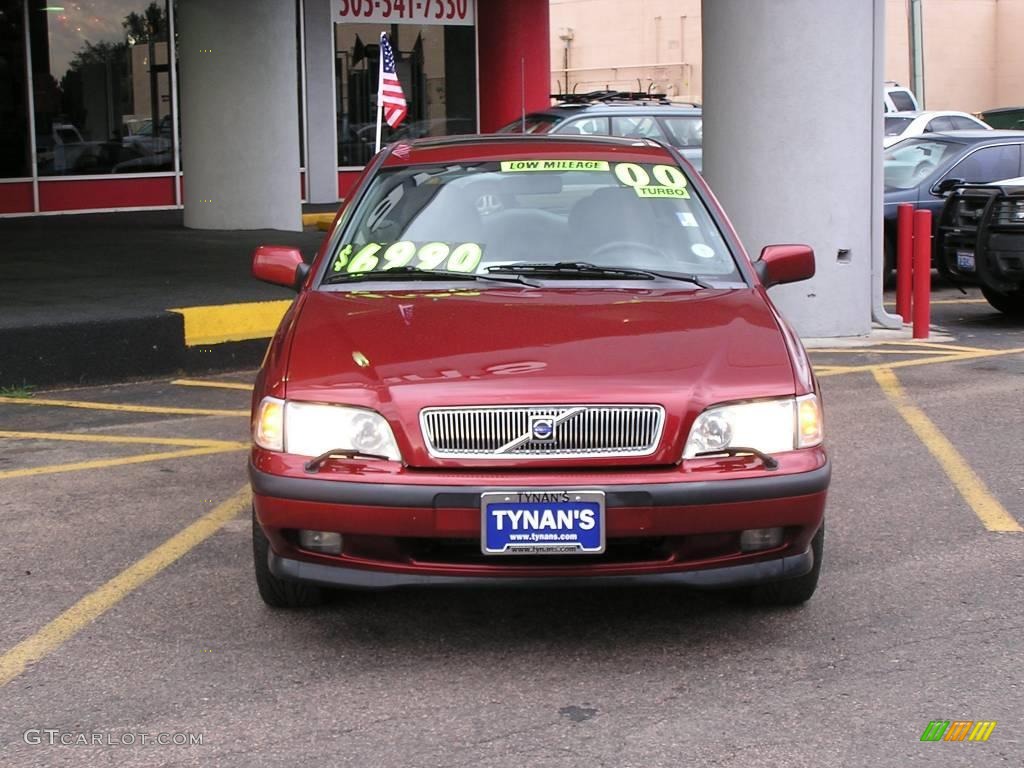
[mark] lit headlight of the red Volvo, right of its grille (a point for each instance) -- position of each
(770, 426)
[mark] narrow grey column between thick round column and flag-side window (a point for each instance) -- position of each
(322, 118)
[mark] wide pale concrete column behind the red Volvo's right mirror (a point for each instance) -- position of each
(792, 145)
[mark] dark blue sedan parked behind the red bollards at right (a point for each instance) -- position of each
(924, 169)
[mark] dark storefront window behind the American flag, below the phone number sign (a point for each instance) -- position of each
(438, 71)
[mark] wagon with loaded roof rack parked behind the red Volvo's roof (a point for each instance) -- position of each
(619, 114)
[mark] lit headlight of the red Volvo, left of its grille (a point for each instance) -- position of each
(313, 430)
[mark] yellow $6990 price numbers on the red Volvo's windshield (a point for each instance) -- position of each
(380, 258)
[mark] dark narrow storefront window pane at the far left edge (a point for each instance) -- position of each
(15, 153)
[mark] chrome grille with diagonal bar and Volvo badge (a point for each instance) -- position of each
(508, 432)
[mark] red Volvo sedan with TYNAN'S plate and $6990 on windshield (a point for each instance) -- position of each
(539, 360)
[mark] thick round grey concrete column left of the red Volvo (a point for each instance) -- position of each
(240, 122)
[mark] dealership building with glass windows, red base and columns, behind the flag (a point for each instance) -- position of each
(257, 108)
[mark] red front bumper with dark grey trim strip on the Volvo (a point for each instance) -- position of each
(684, 533)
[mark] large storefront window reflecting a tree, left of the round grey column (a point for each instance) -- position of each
(102, 88)
